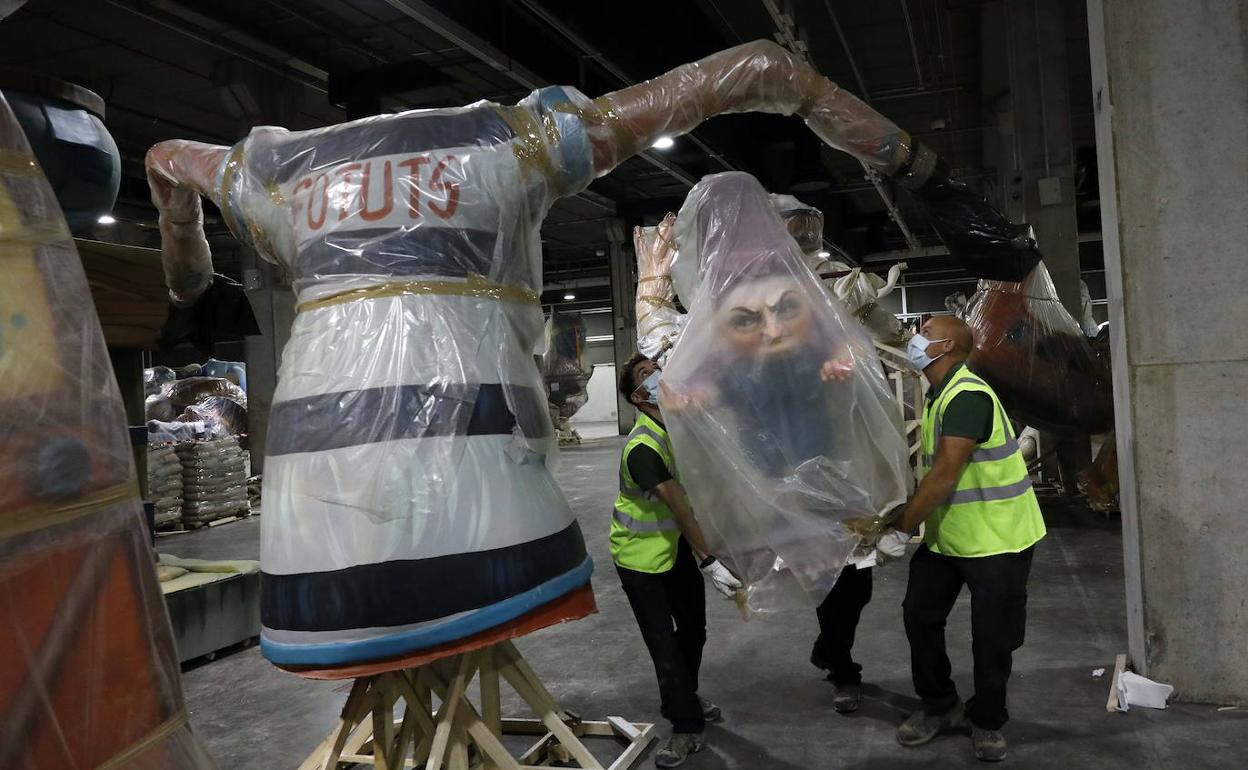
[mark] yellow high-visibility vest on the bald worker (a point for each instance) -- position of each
(993, 509)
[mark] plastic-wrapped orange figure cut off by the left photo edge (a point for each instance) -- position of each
(90, 677)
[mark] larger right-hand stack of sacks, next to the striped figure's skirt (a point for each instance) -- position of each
(214, 480)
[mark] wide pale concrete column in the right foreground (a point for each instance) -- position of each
(1170, 85)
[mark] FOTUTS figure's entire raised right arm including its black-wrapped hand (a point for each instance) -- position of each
(764, 78)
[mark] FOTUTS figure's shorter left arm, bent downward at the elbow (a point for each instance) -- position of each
(179, 173)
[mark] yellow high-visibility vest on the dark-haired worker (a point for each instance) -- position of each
(645, 531)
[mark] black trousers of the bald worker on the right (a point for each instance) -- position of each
(999, 616)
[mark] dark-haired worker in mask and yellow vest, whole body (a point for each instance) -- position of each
(658, 550)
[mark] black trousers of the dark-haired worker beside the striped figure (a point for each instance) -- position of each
(671, 610)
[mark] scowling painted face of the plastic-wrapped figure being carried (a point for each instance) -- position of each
(766, 318)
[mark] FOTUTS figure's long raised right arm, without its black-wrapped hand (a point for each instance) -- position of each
(754, 78)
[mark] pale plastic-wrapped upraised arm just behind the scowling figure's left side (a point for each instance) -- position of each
(658, 319)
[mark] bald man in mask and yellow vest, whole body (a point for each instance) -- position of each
(983, 525)
